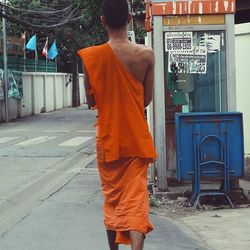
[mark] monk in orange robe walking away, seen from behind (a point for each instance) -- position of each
(119, 78)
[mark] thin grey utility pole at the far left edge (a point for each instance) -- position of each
(5, 59)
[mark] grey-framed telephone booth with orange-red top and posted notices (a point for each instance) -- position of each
(194, 47)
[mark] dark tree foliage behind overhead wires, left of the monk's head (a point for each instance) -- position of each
(82, 33)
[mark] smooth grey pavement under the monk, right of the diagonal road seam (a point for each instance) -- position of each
(70, 218)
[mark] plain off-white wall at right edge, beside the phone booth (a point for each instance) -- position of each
(242, 35)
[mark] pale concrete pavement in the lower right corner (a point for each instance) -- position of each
(227, 229)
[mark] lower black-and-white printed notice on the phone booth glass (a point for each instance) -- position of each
(188, 62)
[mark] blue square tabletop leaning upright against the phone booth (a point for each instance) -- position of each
(227, 126)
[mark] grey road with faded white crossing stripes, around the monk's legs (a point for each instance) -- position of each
(50, 195)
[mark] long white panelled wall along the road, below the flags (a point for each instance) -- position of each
(43, 92)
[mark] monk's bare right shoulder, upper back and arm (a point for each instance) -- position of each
(139, 61)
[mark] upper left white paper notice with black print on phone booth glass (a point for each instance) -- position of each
(178, 41)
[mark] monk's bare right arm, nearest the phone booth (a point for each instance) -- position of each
(149, 78)
